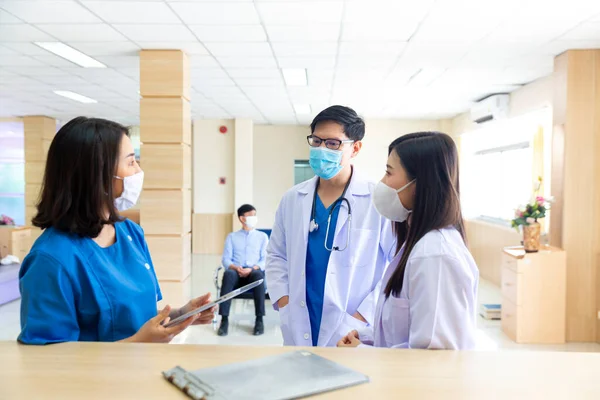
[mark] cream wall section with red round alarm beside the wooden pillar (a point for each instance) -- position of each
(213, 158)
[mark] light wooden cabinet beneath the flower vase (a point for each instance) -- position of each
(534, 295)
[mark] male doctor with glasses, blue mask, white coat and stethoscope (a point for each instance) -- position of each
(329, 246)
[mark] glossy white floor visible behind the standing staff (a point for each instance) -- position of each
(490, 336)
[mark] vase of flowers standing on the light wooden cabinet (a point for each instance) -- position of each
(528, 216)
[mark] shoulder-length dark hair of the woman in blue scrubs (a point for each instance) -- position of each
(77, 190)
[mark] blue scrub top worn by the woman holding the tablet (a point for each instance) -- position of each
(74, 290)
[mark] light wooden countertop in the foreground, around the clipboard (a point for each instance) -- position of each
(133, 371)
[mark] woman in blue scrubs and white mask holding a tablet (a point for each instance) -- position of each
(89, 276)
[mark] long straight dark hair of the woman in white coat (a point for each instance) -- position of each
(431, 159)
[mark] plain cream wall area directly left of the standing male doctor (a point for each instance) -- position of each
(275, 149)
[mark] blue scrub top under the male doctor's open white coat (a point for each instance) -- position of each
(317, 259)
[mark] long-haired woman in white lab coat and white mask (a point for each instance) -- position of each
(429, 291)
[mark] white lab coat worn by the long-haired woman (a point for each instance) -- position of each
(436, 308)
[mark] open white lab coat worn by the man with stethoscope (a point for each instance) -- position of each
(353, 275)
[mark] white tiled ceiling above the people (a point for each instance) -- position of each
(387, 59)
